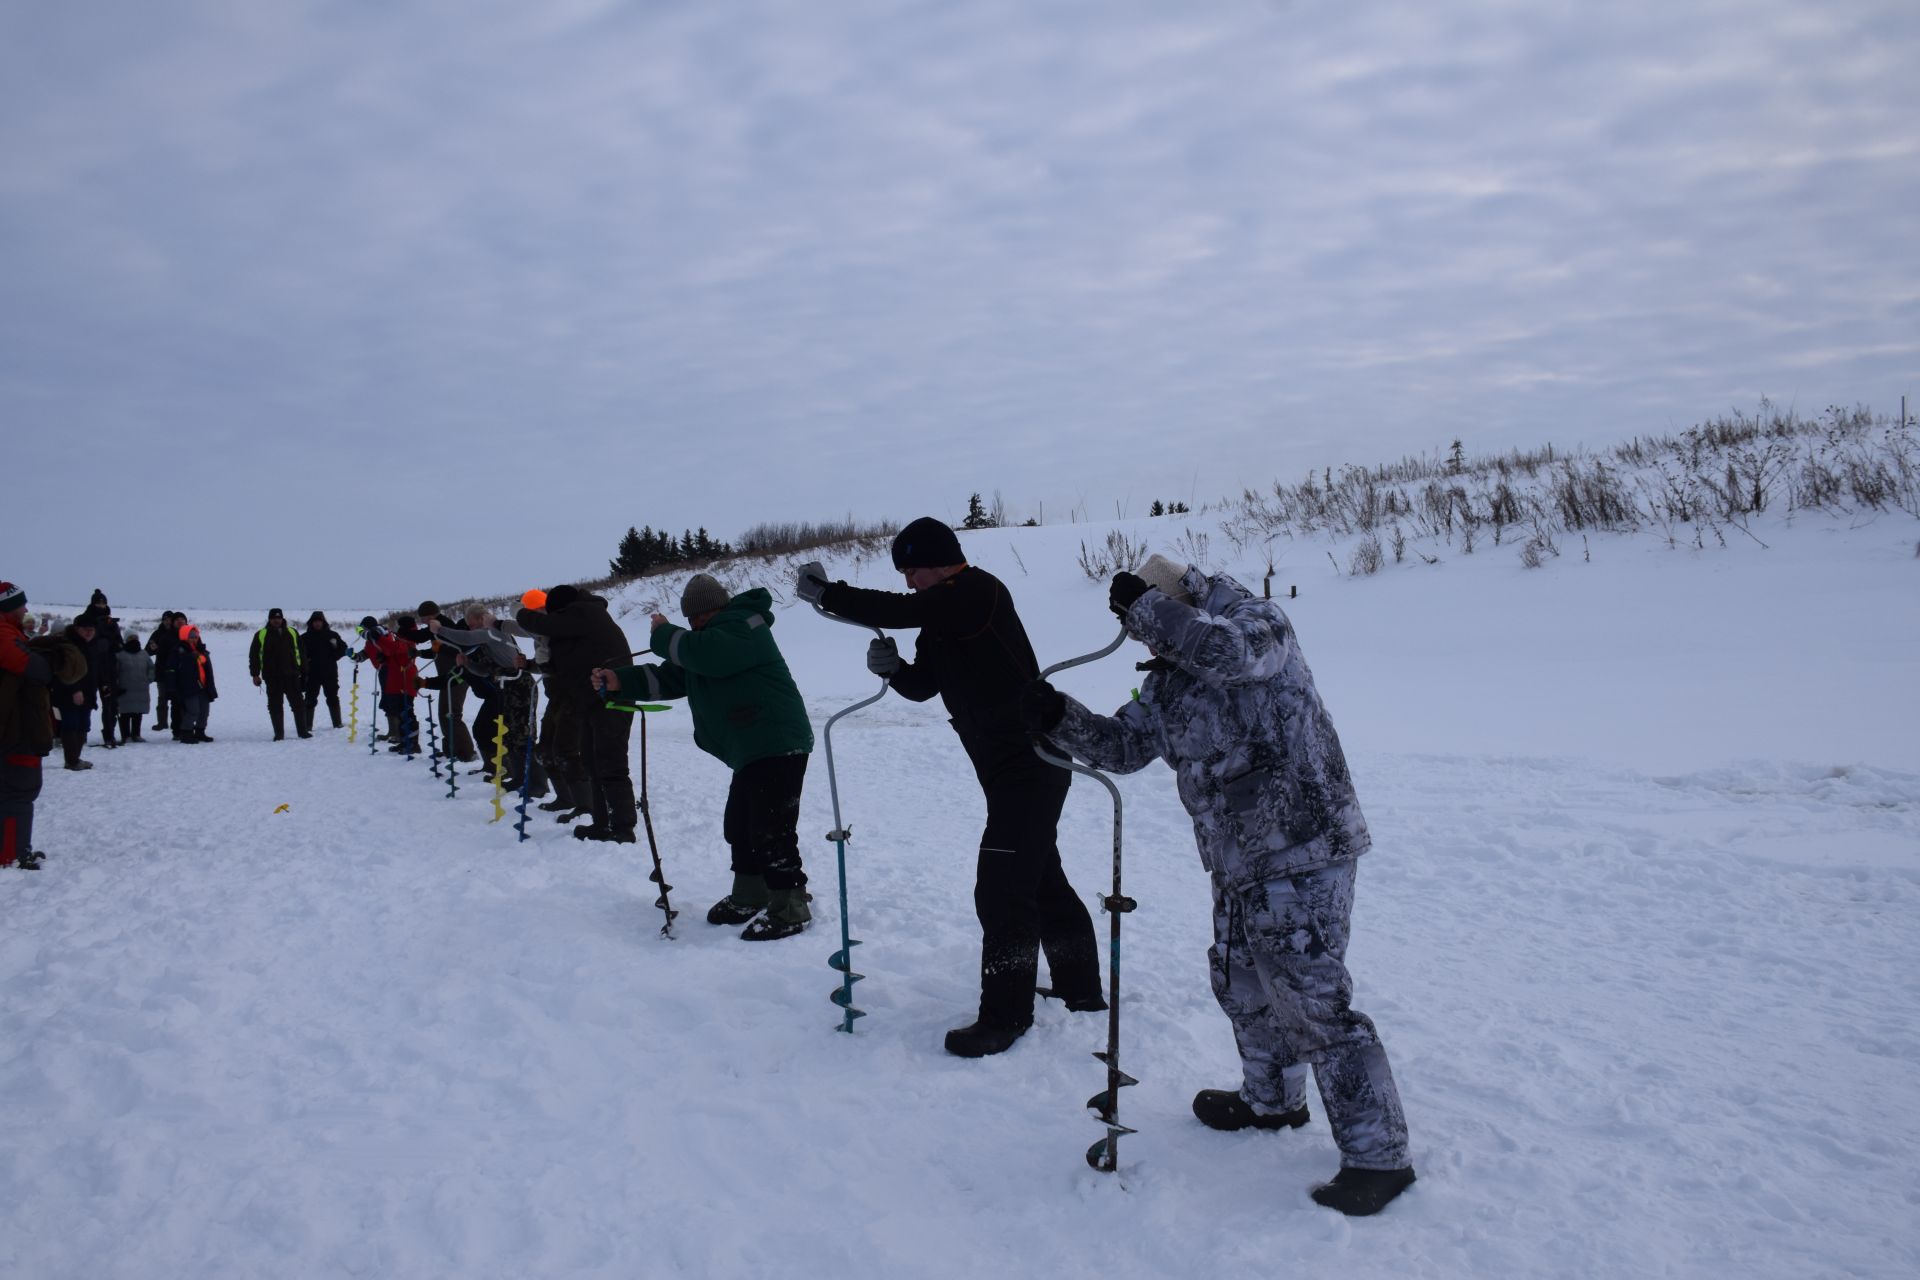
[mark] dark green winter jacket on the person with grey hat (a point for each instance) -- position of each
(734, 680)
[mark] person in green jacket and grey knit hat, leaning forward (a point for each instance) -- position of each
(748, 715)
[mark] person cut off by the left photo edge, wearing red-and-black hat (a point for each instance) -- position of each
(28, 671)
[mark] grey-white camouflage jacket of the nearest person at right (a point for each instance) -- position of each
(1239, 723)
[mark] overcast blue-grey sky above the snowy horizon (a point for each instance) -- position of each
(366, 302)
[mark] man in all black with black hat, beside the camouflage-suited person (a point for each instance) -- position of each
(976, 655)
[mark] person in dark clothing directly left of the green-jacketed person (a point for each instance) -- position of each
(585, 638)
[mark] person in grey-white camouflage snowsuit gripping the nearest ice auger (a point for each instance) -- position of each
(1232, 707)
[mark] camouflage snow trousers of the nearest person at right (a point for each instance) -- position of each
(1280, 974)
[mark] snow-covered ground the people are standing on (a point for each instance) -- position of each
(1641, 932)
